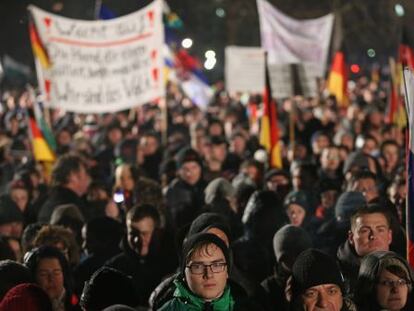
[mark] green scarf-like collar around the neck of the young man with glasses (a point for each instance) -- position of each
(224, 303)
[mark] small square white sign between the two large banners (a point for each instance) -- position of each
(245, 69)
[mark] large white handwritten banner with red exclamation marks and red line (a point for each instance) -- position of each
(99, 66)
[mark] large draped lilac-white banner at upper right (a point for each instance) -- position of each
(292, 41)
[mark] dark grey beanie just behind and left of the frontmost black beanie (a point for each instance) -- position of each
(289, 241)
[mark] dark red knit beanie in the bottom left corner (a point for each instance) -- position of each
(26, 296)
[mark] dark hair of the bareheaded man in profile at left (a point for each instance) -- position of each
(65, 165)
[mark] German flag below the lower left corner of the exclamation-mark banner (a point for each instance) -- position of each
(42, 152)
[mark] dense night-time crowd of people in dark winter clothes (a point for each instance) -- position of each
(178, 208)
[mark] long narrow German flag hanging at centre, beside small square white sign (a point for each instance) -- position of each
(269, 130)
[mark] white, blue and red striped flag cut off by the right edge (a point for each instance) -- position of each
(409, 100)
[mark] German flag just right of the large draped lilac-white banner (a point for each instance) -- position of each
(337, 79)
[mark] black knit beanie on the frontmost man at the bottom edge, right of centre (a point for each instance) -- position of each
(312, 268)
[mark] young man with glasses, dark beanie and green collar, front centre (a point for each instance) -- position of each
(202, 283)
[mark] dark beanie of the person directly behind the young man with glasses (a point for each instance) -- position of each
(209, 220)
